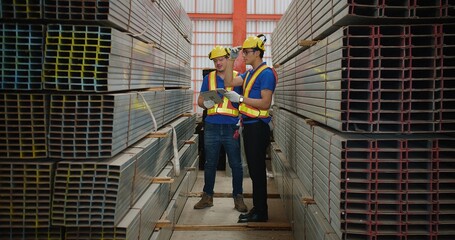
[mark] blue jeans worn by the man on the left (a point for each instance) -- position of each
(216, 135)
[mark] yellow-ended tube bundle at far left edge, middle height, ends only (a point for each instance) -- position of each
(23, 125)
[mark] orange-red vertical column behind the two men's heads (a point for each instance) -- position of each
(239, 30)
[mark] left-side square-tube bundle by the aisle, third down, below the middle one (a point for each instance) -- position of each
(100, 193)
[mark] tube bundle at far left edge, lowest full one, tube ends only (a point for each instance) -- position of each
(26, 194)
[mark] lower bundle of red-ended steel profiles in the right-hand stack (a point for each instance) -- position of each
(374, 185)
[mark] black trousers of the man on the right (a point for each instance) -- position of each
(256, 138)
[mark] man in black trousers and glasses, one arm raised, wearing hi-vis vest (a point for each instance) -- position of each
(258, 86)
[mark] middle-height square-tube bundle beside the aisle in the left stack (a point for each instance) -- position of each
(94, 126)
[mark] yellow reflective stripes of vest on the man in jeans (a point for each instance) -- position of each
(225, 107)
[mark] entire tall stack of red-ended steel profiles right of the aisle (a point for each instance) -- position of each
(364, 118)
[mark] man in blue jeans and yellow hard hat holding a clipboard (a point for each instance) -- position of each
(220, 129)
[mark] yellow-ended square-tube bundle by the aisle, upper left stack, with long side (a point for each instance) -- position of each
(99, 59)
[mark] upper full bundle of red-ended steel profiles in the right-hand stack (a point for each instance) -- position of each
(384, 78)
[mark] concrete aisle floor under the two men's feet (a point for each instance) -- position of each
(220, 221)
